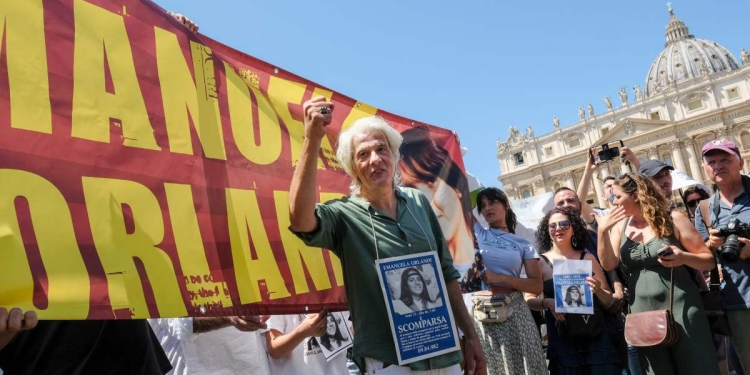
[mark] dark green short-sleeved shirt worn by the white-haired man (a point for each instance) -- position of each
(346, 228)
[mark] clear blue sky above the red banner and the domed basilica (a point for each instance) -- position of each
(475, 68)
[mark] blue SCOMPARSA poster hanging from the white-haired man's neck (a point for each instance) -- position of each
(421, 320)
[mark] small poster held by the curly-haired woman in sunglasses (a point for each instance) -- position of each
(572, 292)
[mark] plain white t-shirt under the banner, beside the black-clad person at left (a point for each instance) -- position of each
(226, 351)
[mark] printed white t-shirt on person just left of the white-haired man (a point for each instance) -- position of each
(307, 358)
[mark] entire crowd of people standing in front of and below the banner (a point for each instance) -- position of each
(644, 254)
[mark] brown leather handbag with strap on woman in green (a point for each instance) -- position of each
(653, 328)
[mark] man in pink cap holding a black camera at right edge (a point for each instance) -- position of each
(726, 231)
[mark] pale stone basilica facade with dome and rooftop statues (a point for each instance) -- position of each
(695, 91)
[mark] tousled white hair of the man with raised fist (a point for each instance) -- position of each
(345, 151)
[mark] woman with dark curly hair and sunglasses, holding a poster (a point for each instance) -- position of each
(562, 236)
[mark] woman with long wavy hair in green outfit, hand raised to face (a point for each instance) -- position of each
(639, 228)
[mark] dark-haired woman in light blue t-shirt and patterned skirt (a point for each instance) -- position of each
(513, 346)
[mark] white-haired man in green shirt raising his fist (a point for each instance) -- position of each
(377, 220)
